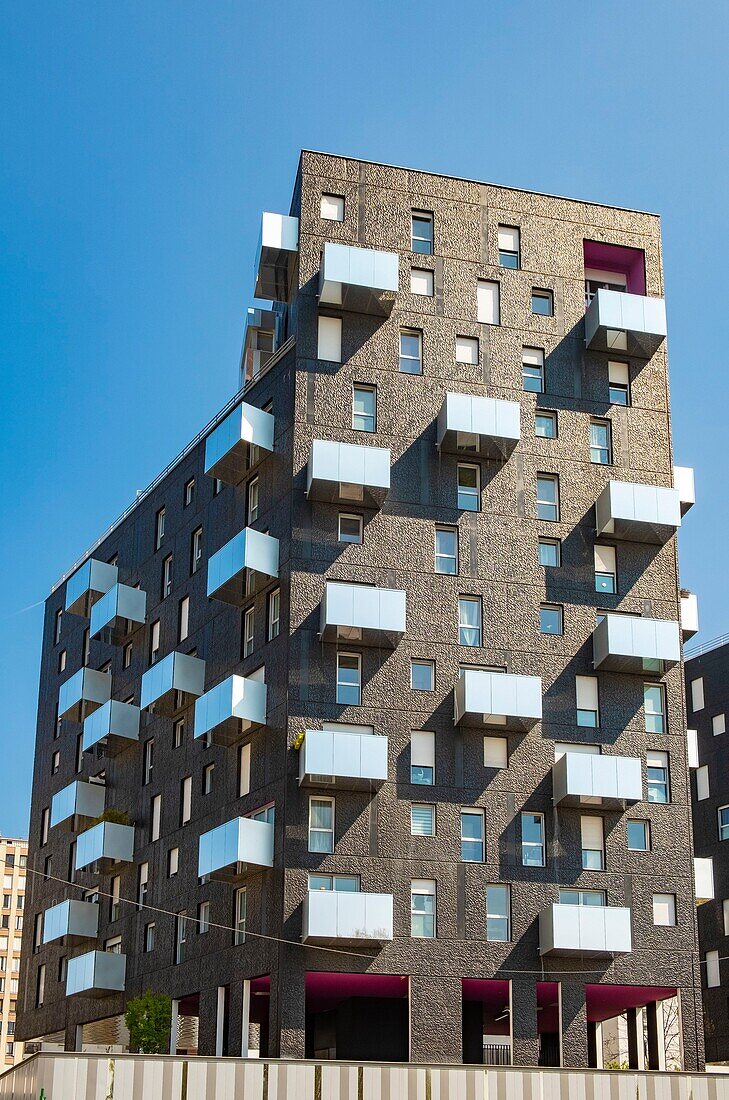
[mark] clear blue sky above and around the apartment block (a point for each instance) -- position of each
(139, 144)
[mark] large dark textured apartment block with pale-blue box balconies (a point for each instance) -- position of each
(362, 733)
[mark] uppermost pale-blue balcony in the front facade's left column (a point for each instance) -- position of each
(364, 281)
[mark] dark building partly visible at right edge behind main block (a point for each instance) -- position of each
(708, 700)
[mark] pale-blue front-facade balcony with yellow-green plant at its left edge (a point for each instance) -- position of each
(336, 758)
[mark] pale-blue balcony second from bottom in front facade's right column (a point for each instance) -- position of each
(583, 779)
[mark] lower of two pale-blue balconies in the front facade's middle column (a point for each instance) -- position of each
(498, 699)
